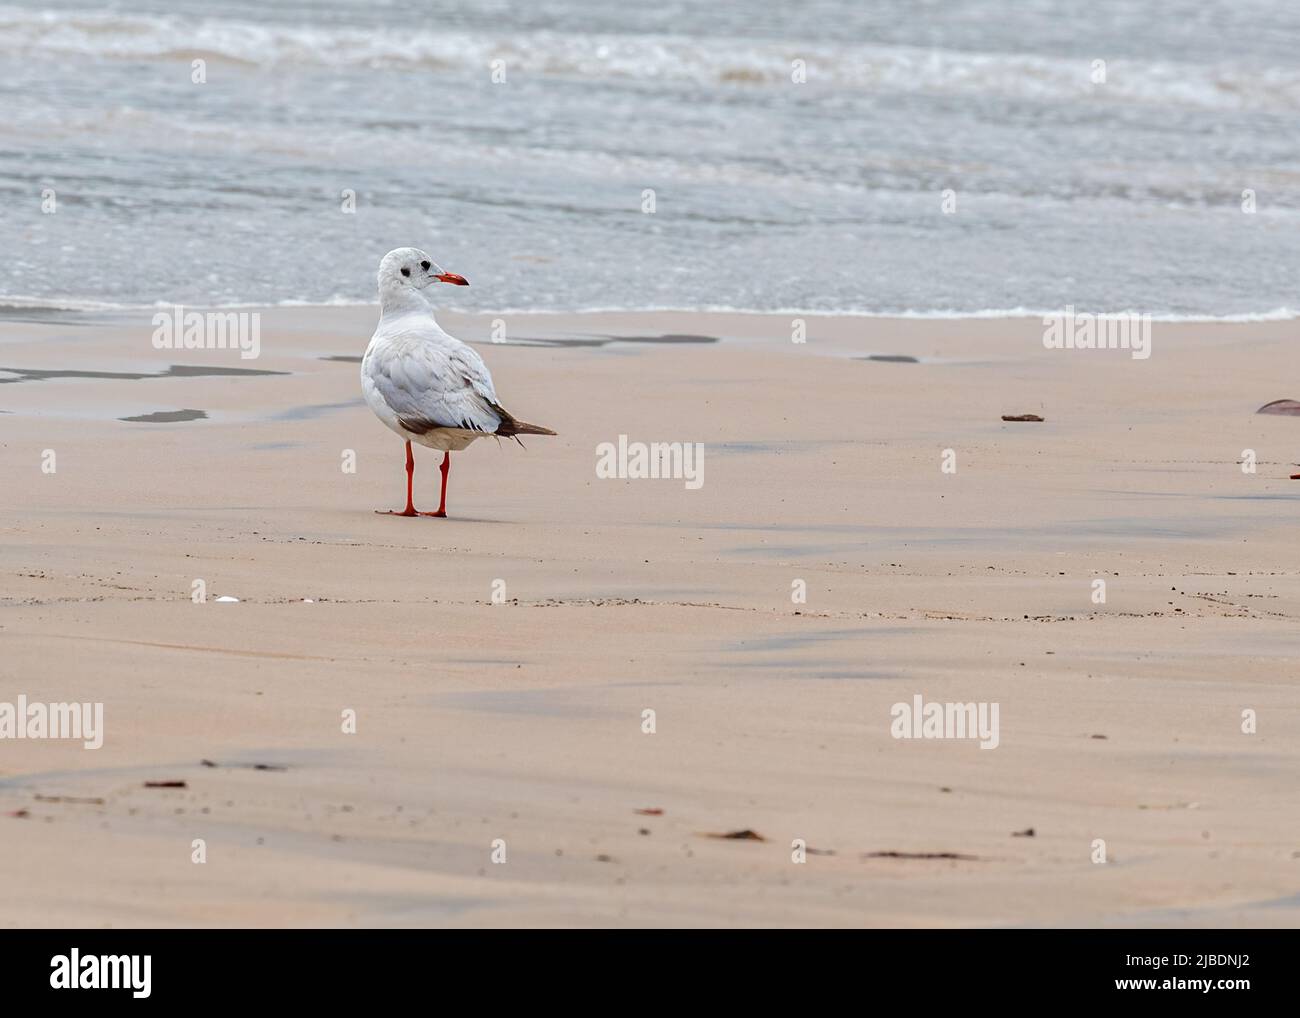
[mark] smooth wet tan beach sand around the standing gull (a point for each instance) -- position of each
(523, 721)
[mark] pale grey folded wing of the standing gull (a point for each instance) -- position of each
(437, 385)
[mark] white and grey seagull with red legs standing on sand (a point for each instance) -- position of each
(424, 384)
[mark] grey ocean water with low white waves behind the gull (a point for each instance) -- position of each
(769, 194)
